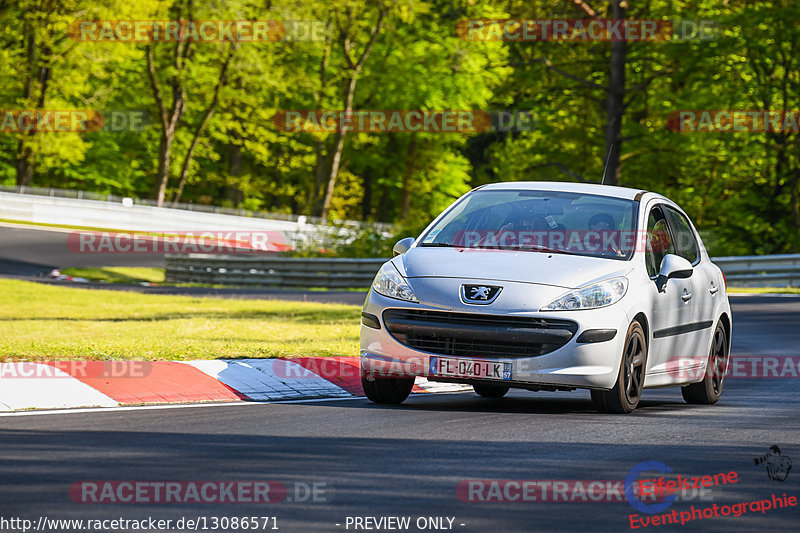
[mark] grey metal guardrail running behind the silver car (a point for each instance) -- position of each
(260, 269)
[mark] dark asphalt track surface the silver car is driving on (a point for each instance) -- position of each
(408, 460)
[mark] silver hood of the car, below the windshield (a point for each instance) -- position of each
(559, 270)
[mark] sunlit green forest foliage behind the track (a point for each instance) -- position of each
(742, 189)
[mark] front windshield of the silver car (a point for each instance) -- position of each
(543, 221)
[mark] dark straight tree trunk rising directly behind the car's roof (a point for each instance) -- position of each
(614, 103)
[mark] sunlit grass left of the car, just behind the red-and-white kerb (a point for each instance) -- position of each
(39, 321)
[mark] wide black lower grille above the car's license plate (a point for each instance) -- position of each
(477, 335)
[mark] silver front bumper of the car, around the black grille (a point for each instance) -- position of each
(593, 364)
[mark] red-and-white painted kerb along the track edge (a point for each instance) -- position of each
(71, 384)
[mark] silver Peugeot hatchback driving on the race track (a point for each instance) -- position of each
(550, 286)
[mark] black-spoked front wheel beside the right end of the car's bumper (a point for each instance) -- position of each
(627, 392)
